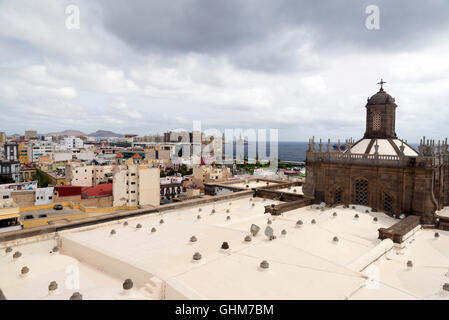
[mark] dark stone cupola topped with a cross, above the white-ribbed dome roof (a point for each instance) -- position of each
(380, 116)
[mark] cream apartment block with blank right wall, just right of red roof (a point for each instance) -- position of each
(135, 185)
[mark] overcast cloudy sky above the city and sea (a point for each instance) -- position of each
(143, 66)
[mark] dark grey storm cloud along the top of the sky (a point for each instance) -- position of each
(227, 27)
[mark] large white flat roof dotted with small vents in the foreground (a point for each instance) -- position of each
(304, 263)
